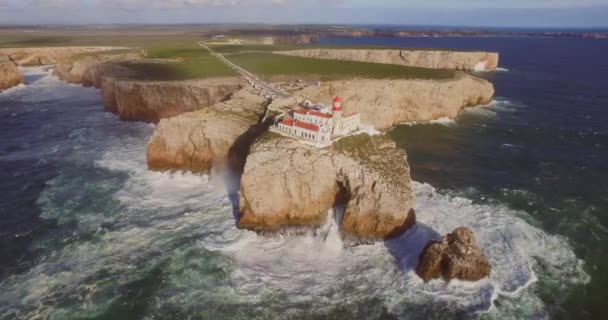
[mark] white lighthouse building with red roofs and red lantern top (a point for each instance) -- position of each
(320, 127)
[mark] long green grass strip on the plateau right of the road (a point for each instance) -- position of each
(267, 64)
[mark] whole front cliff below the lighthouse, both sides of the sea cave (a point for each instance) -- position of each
(289, 184)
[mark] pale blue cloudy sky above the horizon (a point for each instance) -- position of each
(489, 13)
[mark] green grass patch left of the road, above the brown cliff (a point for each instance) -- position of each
(196, 68)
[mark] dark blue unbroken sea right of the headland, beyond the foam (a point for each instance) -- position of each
(545, 151)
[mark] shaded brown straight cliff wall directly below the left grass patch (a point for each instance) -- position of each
(152, 101)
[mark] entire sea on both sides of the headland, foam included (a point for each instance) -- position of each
(87, 232)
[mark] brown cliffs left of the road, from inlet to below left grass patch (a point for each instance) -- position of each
(140, 100)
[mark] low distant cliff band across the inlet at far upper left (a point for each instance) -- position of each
(45, 56)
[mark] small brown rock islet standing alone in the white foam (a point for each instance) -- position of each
(454, 257)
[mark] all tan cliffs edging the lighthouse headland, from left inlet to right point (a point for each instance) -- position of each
(285, 184)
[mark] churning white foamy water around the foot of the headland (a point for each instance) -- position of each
(166, 244)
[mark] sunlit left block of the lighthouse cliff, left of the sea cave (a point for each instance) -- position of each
(286, 184)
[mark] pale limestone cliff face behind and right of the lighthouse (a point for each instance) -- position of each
(385, 103)
